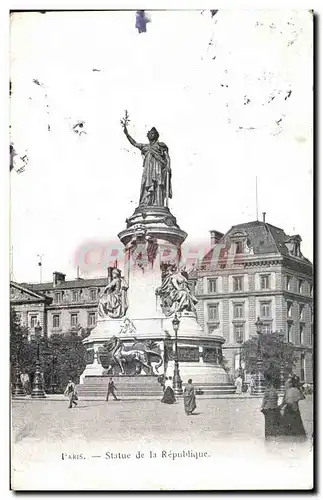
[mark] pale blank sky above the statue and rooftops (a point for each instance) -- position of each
(230, 95)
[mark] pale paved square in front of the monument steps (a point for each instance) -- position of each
(93, 420)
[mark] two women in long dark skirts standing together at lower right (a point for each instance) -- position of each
(284, 419)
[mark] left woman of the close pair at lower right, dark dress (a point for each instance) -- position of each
(271, 411)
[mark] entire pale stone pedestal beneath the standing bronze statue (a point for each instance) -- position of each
(152, 241)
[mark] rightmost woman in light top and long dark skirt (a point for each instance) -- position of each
(292, 424)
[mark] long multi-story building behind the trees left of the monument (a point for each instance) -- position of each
(59, 306)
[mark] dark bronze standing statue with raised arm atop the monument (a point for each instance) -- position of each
(156, 185)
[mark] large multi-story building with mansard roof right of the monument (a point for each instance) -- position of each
(253, 270)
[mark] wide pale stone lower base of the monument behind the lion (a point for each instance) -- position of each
(199, 354)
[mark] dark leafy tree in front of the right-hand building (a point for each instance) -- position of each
(274, 351)
